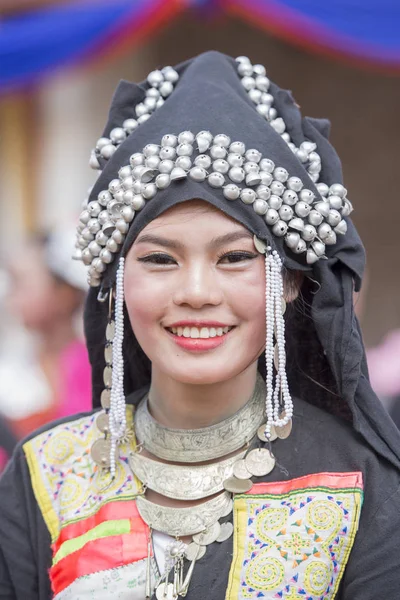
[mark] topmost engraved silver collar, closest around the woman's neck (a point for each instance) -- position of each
(207, 443)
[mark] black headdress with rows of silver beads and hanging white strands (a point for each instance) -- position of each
(218, 130)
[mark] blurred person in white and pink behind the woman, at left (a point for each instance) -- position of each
(47, 374)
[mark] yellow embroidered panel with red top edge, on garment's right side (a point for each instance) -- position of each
(292, 539)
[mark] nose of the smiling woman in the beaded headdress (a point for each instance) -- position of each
(198, 287)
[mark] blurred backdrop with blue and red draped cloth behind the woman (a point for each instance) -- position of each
(59, 64)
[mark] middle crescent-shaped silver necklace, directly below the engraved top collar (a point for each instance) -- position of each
(183, 482)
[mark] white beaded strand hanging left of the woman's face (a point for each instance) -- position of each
(117, 412)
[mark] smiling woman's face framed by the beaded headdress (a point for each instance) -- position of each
(195, 294)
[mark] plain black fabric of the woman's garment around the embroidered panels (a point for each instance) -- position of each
(318, 443)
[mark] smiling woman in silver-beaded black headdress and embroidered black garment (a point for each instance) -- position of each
(239, 452)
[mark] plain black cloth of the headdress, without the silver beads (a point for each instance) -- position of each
(209, 96)
